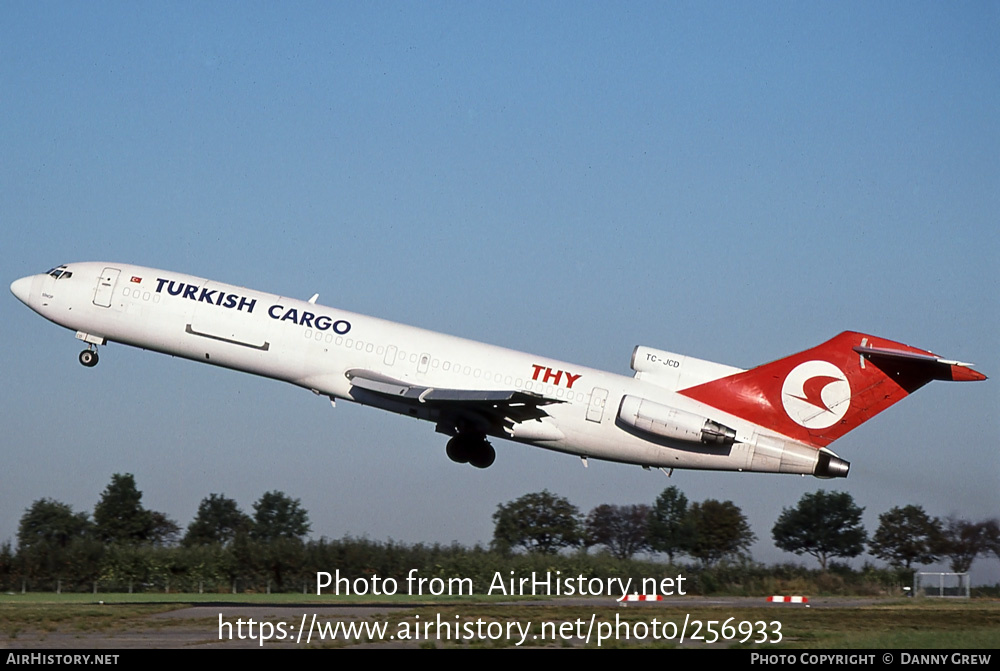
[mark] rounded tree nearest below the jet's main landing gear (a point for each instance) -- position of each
(541, 522)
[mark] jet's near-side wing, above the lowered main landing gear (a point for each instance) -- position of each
(510, 404)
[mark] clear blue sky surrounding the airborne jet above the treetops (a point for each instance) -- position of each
(733, 181)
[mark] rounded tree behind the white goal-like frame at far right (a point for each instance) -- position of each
(906, 536)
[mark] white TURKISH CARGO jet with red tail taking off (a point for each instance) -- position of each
(674, 412)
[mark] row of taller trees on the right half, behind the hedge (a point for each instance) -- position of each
(823, 524)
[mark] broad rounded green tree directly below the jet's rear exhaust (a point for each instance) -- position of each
(822, 525)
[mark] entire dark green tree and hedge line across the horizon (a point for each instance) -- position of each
(124, 546)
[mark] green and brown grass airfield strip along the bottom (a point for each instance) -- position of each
(75, 620)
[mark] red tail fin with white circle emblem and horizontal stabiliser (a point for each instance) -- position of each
(818, 395)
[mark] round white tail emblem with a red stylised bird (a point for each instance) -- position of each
(816, 394)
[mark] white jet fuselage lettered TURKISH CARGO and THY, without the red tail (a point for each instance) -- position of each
(315, 347)
